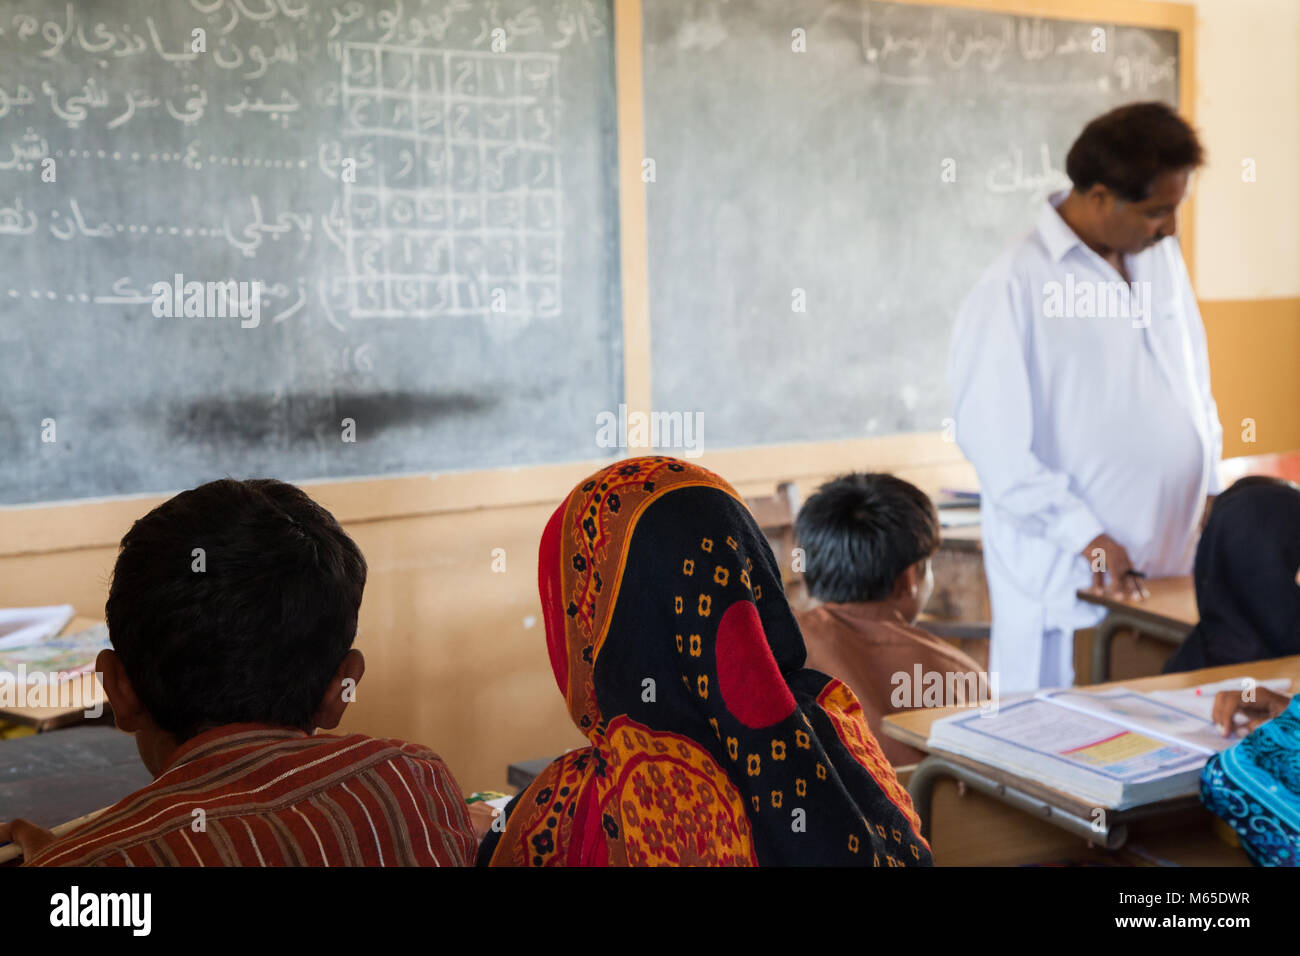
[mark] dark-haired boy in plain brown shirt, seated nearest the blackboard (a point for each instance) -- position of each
(868, 543)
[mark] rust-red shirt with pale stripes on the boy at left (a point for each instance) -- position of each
(252, 795)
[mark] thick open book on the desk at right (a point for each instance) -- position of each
(1113, 749)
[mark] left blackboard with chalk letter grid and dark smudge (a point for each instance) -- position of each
(427, 194)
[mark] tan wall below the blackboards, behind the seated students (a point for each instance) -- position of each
(456, 652)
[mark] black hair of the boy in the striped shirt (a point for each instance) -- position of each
(252, 629)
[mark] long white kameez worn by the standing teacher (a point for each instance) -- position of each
(1080, 426)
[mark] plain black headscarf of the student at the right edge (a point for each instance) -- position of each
(1246, 576)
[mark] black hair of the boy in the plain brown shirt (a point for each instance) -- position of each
(860, 533)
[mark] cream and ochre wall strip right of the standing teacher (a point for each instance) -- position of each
(1249, 233)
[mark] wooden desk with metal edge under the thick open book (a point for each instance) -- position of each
(1009, 820)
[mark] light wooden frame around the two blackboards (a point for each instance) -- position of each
(53, 527)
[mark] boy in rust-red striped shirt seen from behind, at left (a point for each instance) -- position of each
(232, 616)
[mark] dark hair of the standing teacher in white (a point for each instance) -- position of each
(1126, 149)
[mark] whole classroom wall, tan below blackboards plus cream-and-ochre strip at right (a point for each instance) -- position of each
(456, 651)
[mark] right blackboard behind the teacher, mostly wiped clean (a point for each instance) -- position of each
(820, 175)
